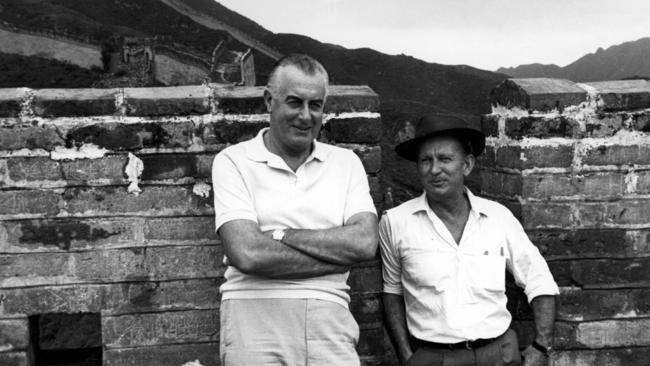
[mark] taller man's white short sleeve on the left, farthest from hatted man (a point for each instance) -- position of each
(232, 200)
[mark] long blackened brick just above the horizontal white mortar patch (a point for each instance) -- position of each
(119, 136)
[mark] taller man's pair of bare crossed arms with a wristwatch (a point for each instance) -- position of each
(302, 253)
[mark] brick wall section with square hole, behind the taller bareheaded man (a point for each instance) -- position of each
(74, 240)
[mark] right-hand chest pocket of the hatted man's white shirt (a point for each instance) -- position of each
(487, 272)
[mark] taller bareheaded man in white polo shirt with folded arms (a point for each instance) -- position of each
(293, 215)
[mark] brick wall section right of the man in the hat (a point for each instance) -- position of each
(573, 162)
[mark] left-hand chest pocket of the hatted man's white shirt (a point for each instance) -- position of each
(429, 269)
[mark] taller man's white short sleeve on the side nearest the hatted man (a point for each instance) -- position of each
(358, 194)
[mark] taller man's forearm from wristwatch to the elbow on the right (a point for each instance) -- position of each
(345, 245)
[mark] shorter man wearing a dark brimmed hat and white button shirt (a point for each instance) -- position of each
(445, 254)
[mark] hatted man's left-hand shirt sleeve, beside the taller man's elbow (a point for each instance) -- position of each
(391, 266)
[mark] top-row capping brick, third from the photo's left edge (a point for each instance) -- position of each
(167, 101)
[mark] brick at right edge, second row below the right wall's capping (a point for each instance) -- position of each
(617, 155)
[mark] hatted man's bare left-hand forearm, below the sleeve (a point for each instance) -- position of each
(395, 318)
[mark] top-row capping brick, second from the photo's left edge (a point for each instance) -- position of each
(74, 102)
